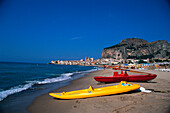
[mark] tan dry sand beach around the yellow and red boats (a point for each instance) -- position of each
(158, 101)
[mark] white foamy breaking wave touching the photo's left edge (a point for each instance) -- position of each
(4, 94)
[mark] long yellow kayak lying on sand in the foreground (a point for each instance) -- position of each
(94, 92)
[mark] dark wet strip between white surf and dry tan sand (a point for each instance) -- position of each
(18, 102)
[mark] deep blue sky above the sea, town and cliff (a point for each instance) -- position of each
(44, 30)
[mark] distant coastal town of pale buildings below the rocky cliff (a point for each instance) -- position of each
(128, 63)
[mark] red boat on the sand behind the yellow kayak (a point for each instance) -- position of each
(125, 77)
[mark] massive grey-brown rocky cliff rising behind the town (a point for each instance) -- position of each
(138, 48)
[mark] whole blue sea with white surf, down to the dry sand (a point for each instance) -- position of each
(21, 83)
